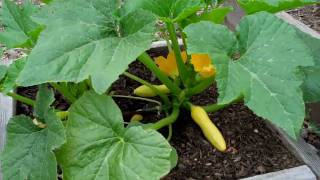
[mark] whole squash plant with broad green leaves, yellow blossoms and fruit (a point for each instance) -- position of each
(80, 47)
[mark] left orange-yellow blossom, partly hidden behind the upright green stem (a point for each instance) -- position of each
(169, 65)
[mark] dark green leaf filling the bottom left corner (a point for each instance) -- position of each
(28, 153)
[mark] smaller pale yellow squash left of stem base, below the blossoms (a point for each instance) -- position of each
(145, 91)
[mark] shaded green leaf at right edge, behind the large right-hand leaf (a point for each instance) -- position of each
(311, 84)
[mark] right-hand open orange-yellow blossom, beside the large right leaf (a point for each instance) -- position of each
(203, 65)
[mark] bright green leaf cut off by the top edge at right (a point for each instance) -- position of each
(273, 6)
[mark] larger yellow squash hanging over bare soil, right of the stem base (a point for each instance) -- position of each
(210, 131)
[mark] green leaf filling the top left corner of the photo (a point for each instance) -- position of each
(20, 30)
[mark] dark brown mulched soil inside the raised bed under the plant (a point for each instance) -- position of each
(253, 148)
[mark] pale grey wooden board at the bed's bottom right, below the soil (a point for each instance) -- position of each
(297, 173)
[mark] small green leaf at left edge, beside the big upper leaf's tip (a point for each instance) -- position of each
(9, 82)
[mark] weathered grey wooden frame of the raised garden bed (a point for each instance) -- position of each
(302, 150)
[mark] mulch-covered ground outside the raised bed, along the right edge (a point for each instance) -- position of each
(310, 16)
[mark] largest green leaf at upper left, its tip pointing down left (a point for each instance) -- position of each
(83, 39)
